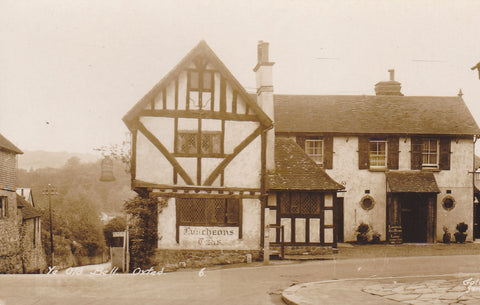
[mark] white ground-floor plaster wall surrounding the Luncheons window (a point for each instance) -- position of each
(251, 229)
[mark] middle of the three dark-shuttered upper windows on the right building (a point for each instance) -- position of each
(375, 153)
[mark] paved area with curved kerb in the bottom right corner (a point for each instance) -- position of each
(416, 290)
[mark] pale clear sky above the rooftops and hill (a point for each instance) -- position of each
(70, 70)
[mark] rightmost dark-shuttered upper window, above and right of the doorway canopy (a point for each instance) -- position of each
(430, 153)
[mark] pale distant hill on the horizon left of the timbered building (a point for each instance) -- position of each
(40, 159)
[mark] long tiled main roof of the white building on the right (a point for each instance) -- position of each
(366, 114)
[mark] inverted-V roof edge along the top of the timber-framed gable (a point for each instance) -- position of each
(202, 49)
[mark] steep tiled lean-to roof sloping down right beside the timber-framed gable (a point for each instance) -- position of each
(295, 170)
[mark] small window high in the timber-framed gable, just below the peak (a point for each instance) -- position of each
(200, 89)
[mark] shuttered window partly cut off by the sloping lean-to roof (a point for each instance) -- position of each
(320, 149)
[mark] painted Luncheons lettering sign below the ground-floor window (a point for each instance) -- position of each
(207, 237)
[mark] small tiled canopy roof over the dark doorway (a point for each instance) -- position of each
(411, 182)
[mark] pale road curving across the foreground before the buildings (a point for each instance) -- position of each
(245, 285)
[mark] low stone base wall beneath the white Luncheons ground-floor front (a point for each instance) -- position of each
(202, 258)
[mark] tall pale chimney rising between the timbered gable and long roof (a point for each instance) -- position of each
(263, 71)
